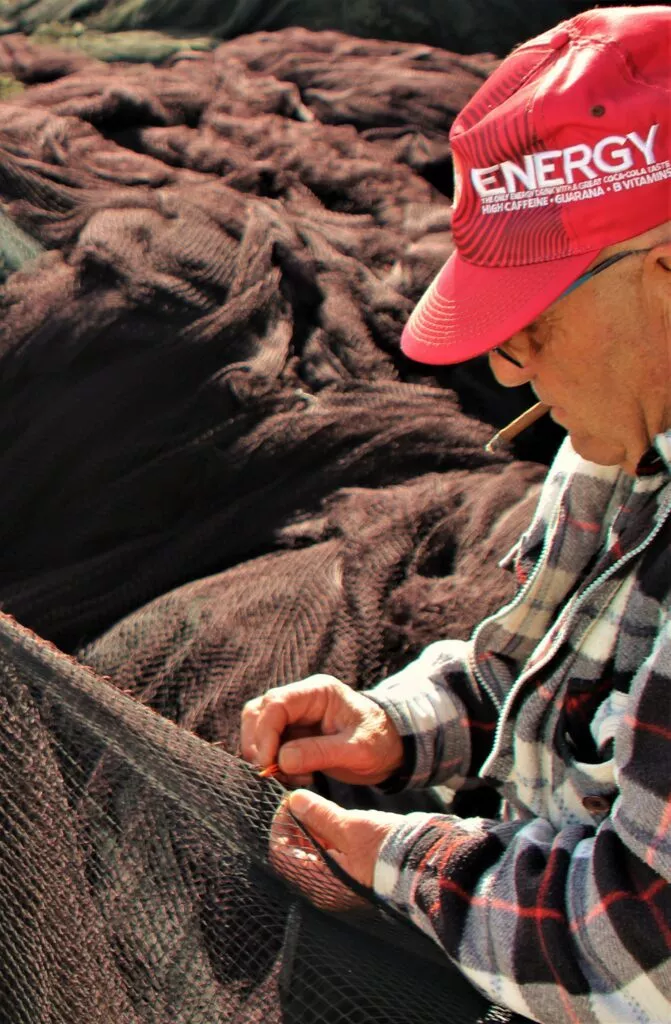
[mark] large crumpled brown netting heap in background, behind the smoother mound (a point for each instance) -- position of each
(209, 350)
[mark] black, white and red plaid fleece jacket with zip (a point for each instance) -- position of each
(562, 909)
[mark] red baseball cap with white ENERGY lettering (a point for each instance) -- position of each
(565, 150)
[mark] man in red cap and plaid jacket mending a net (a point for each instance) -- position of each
(560, 909)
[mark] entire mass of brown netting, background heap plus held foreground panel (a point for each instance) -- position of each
(219, 474)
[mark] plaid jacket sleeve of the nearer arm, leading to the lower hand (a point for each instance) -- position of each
(568, 923)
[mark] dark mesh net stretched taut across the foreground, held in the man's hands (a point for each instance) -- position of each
(136, 884)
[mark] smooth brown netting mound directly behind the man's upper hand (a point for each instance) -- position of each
(358, 592)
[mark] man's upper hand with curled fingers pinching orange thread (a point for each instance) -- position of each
(320, 724)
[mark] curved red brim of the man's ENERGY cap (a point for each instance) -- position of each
(469, 310)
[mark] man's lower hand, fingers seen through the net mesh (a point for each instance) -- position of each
(353, 839)
